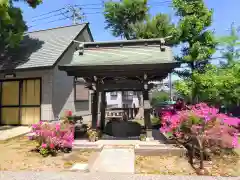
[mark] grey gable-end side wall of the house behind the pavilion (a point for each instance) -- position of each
(63, 86)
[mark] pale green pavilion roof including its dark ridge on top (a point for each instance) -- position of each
(122, 53)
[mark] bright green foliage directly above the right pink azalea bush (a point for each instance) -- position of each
(219, 85)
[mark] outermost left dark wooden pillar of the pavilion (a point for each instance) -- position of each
(94, 108)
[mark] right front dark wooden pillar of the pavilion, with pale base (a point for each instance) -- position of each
(147, 117)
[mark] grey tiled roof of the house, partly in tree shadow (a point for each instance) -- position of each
(41, 48)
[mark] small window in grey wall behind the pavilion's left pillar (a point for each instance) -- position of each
(80, 91)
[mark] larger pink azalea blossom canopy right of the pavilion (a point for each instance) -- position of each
(214, 128)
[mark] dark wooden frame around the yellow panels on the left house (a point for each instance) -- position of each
(20, 80)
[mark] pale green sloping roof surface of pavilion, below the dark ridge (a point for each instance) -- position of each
(123, 56)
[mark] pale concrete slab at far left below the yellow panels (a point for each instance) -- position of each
(12, 132)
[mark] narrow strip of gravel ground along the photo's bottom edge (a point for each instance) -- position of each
(7, 175)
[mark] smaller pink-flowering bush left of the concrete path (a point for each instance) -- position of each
(53, 137)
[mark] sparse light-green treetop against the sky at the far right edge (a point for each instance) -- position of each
(230, 46)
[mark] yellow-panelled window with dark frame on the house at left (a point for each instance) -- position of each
(20, 101)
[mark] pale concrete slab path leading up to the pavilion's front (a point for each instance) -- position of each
(115, 160)
